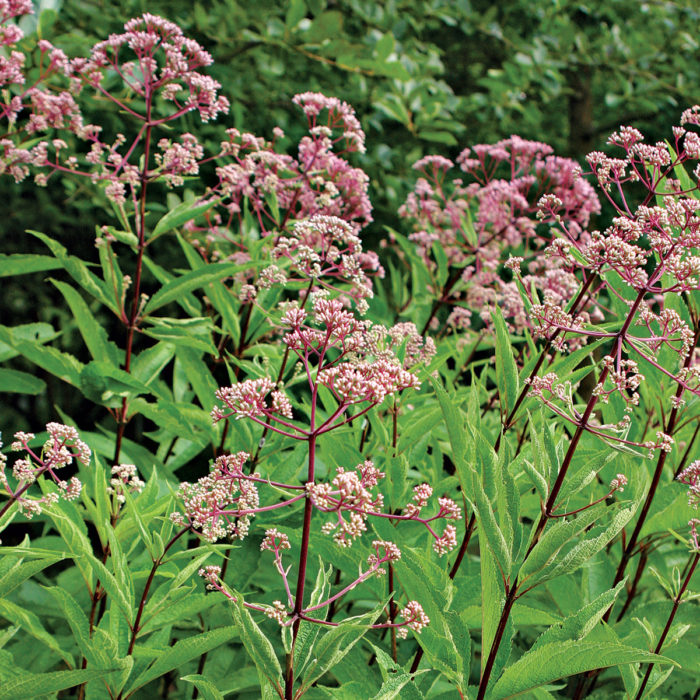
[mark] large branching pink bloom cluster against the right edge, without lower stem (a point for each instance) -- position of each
(652, 247)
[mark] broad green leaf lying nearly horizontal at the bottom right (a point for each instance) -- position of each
(550, 662)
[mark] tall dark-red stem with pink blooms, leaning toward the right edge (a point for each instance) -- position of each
(669, 232)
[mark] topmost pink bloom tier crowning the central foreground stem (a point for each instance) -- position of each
(348, 356)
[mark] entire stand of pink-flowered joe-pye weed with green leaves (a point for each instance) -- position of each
(473, 478)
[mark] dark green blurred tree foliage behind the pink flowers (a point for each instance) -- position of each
(424, 77)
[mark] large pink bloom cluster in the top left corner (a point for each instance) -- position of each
(153, 60)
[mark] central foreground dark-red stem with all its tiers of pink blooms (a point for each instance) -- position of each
(356, 362)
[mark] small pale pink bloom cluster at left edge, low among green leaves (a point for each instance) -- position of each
(62, 447)
